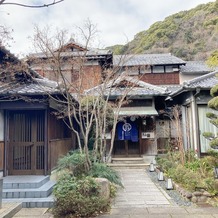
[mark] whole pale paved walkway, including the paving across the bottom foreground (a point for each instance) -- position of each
(140, 198)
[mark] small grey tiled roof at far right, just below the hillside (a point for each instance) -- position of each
(195, 67)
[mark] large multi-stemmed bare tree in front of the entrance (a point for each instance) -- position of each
(91, 113)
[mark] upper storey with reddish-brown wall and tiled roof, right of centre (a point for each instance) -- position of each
(157, 69)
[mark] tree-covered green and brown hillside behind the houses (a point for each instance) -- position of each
(190, 35)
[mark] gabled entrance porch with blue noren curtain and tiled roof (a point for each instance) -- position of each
(136, 134)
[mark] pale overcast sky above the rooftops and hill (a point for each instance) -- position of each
(117, 20)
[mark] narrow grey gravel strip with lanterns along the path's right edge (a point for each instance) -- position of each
(174, 194)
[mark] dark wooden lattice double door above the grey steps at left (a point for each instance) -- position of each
(26, 154)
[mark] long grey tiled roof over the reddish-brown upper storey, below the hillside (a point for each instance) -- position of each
(146, 59)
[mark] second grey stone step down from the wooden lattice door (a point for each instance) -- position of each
(41, 192)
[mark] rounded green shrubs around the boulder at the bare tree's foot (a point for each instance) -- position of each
(76, 191)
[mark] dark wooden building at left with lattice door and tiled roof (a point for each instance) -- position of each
(31, 137)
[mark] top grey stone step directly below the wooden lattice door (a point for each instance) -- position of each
(24, 182)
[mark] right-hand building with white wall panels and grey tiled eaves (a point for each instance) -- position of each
(193, 97)
